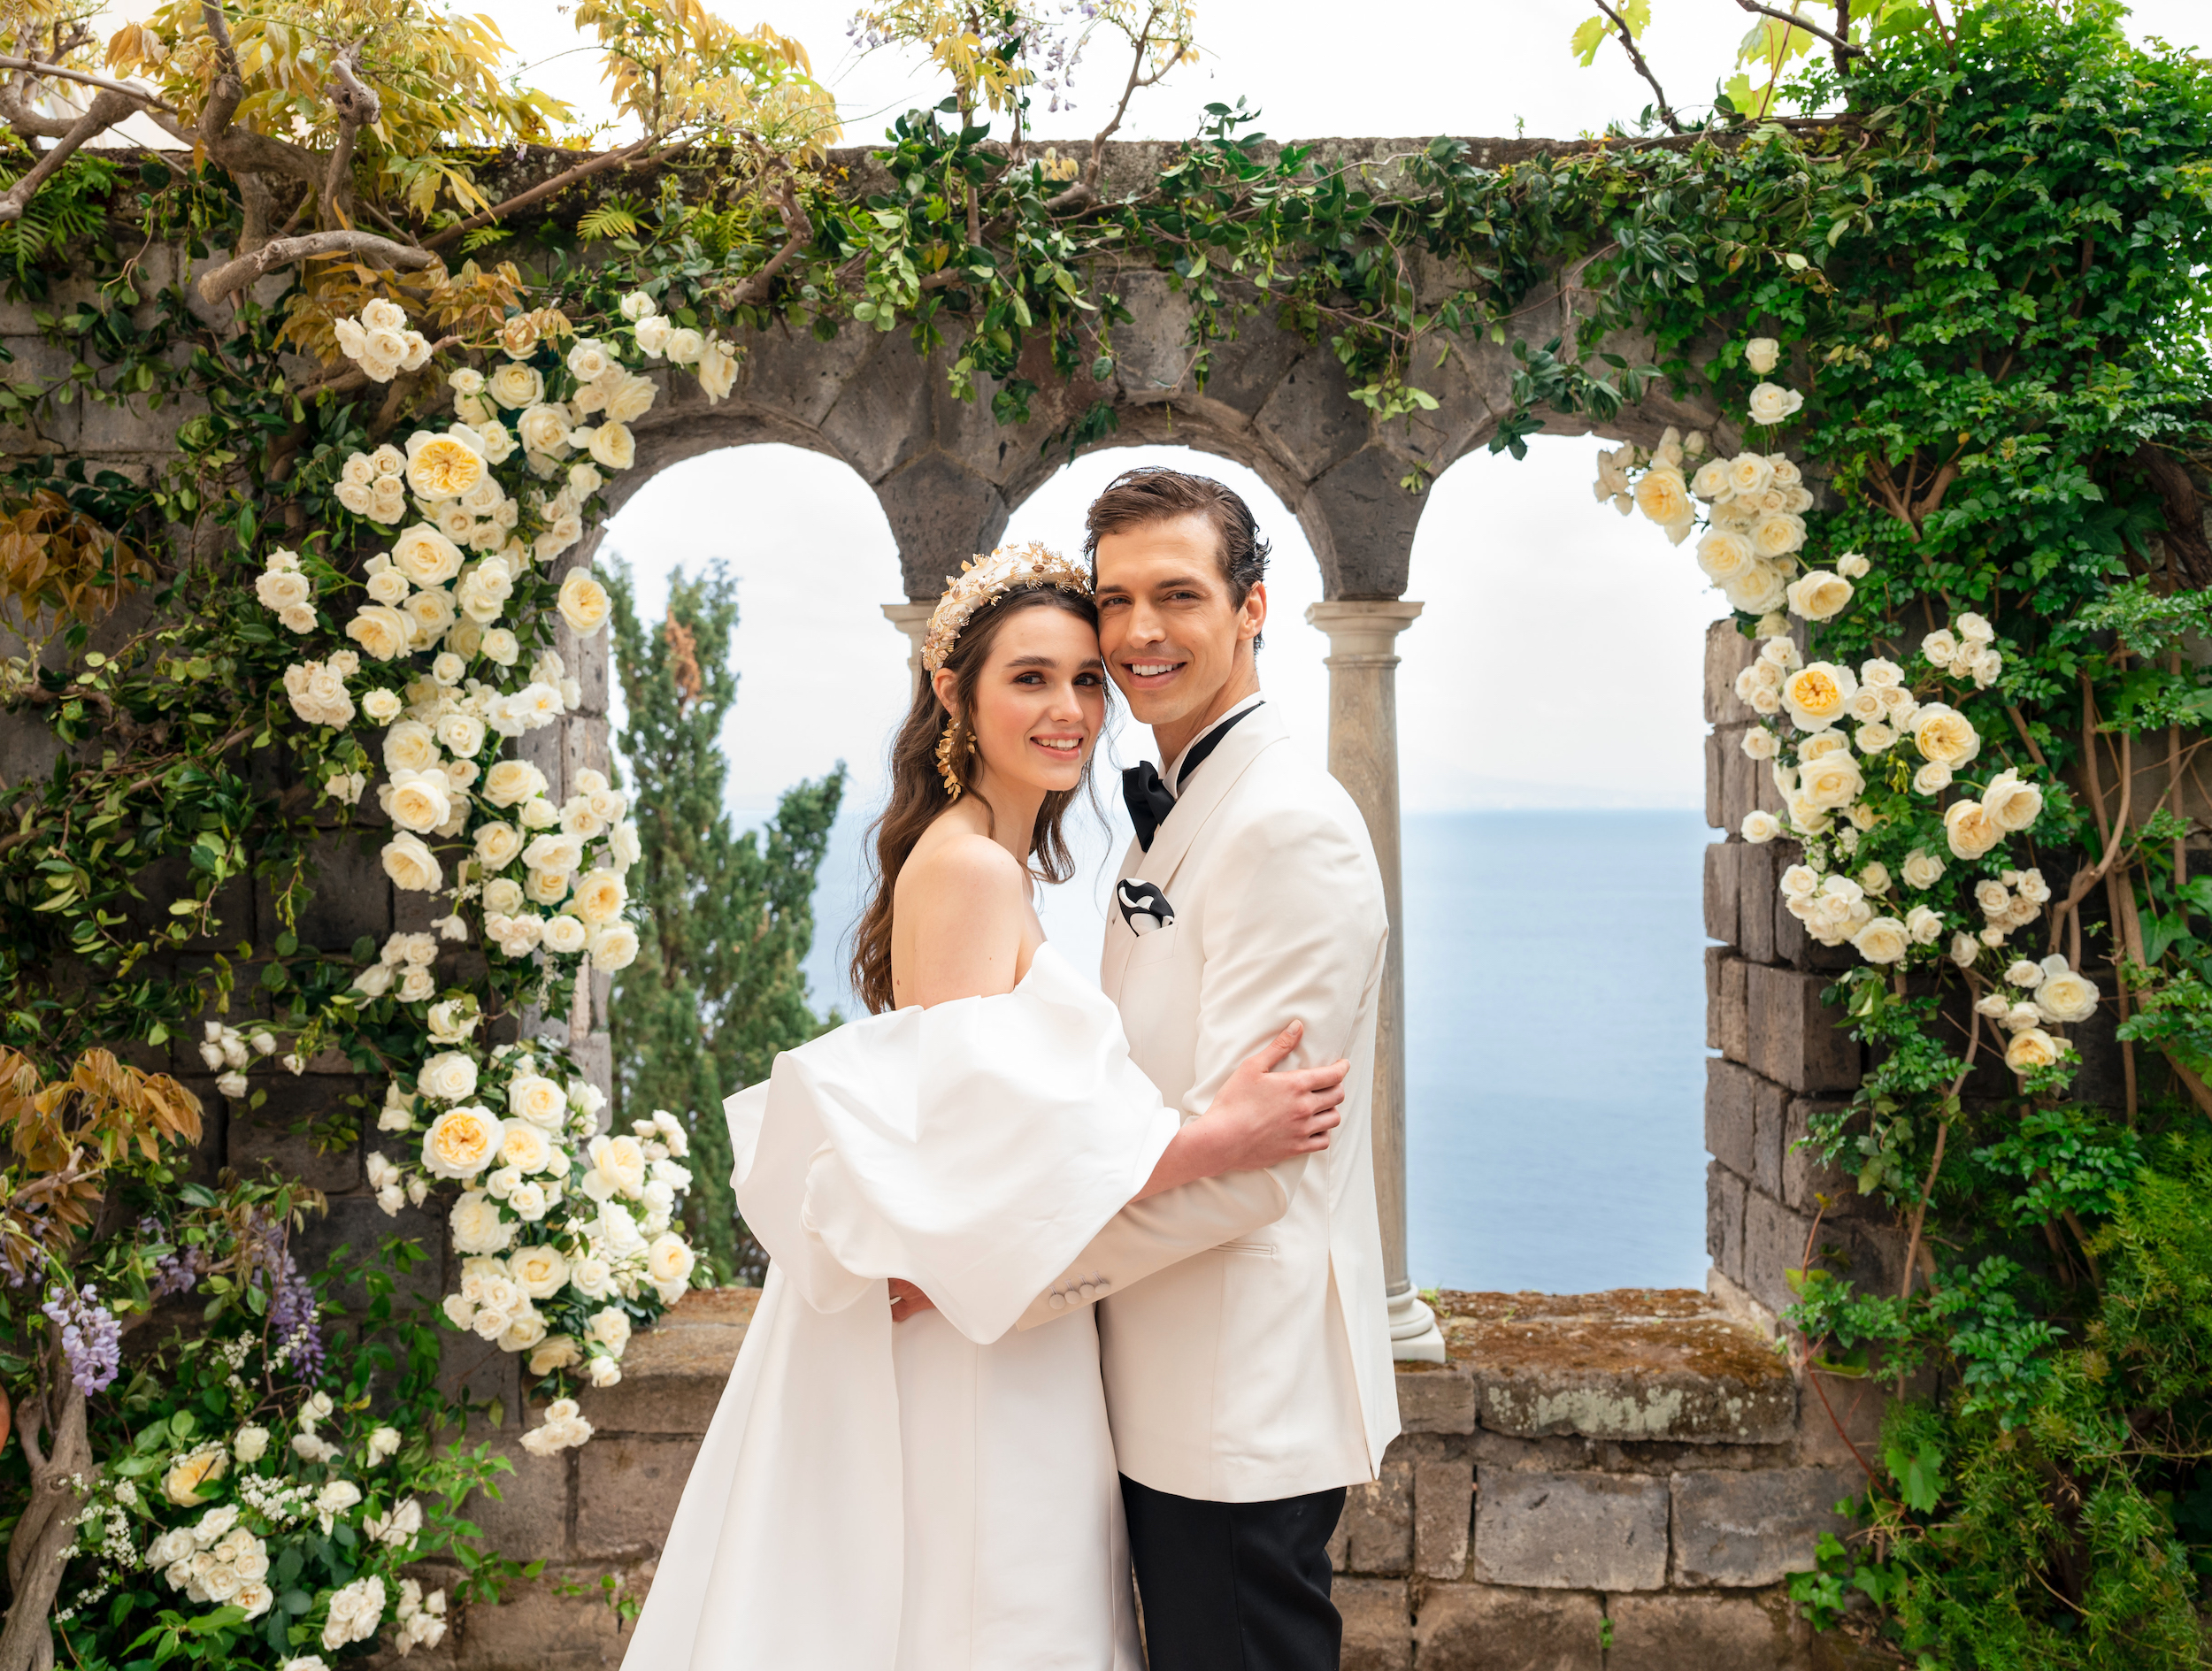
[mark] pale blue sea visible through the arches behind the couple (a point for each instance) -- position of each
(1556, 1024)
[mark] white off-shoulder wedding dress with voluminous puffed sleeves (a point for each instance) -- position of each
(939, 1495)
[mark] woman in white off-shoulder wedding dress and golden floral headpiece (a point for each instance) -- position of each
(897, 1482)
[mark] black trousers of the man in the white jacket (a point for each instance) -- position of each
(1235, 1586)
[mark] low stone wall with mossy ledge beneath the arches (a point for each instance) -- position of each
(1616, 1480)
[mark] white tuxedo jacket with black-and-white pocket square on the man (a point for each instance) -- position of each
(1242, 1321)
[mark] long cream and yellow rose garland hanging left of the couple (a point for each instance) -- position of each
(565, 1234)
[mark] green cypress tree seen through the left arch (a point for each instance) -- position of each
(718, 985)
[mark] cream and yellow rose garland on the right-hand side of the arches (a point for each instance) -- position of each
(1868, 803)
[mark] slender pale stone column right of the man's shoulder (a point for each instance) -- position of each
(1364, 757)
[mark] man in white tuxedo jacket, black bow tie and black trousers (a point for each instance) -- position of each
(1242, 1321)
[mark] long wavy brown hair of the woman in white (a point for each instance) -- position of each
(919, 792)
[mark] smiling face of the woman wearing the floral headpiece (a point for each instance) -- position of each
(1041, 700)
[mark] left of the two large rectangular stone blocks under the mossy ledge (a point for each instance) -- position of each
(1572, 1531)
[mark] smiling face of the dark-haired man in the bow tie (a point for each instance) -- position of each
(1173, 640)
